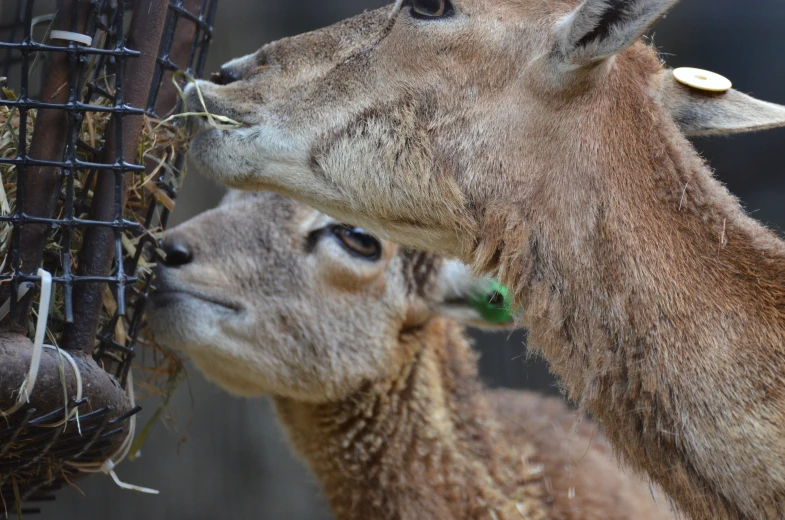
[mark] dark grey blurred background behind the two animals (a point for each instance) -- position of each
(234, 461)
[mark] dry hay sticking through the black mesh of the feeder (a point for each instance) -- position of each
(161, 141)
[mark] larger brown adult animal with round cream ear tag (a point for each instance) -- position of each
(541, 141)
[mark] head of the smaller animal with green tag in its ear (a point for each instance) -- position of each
(268, 296)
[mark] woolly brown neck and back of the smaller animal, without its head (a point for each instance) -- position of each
(431, 444)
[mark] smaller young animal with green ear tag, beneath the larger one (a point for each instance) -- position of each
(376, 387)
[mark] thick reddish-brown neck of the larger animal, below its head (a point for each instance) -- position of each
(661, 306)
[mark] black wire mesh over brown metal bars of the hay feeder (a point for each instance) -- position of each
(88, 94)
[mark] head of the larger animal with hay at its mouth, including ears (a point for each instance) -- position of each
(417, 119)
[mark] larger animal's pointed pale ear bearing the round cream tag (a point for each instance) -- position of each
(702, 113)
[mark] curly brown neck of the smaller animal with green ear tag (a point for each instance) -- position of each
(416, 447)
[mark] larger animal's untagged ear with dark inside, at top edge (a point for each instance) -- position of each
(599, 29)
